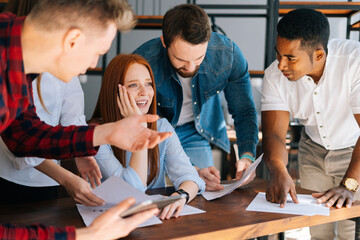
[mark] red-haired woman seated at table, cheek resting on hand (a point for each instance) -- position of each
(128, 89)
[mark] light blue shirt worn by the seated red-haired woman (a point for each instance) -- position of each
(173, 162)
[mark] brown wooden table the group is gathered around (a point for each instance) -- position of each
(225, 218)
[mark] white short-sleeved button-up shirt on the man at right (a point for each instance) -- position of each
(326, 109)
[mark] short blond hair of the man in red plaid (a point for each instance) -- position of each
(67, 14)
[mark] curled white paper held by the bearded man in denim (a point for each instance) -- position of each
(228, 188)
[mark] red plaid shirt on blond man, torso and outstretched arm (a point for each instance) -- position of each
(25, 134)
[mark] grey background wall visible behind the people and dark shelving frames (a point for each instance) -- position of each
(247, 33)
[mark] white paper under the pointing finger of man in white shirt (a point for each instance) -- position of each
(307, 206)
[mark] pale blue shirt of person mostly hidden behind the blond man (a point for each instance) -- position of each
(65, 105)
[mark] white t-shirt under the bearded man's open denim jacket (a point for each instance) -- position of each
(186, 113)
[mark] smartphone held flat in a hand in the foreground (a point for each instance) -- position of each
(159, 203)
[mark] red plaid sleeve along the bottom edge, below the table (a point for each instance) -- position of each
(35, 232)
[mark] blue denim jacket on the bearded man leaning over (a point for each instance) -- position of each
(224, 69)
